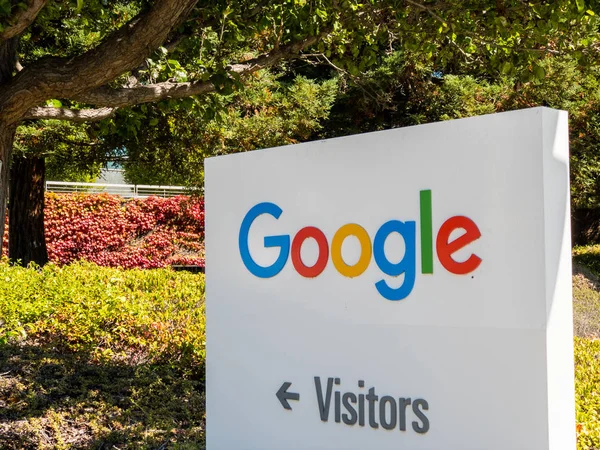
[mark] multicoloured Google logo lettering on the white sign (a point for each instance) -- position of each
(370, 249)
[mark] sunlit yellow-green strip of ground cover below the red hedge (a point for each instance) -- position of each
(123, 315)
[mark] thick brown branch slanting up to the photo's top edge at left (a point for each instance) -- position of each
(120, 52)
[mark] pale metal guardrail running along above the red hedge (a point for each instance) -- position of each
(124, 190)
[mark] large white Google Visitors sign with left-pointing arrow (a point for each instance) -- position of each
(405, 289)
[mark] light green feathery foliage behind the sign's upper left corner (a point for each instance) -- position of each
(270, 112)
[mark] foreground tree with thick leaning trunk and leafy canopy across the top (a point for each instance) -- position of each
(94, 58)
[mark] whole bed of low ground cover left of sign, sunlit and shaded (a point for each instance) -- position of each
(94, 357)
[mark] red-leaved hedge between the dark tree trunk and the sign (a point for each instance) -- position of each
(114, 232)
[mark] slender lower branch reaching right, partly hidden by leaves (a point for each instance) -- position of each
(120, 97)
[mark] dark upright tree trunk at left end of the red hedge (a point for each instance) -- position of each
(27, 242)
